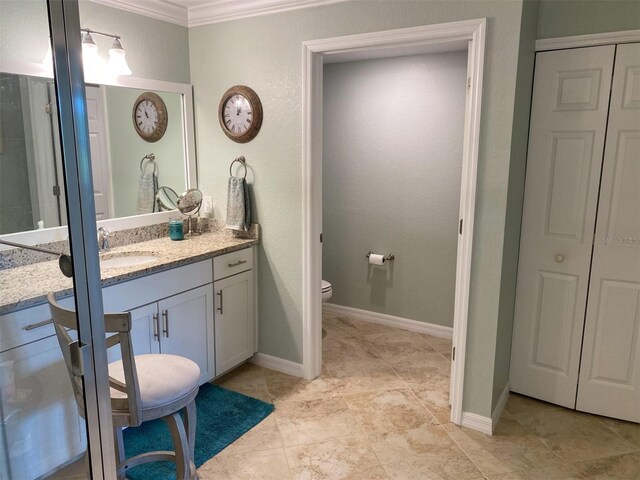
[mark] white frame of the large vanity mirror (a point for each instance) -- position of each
(34, 237)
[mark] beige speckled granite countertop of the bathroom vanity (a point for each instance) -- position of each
(27, 286)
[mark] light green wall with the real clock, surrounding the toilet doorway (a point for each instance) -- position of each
(266, 53)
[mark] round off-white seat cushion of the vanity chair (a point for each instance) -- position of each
(162, 378)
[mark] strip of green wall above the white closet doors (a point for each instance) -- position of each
(563, 18)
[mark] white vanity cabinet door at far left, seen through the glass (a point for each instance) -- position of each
(40, 421)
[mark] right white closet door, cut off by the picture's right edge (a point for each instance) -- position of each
(610, 370)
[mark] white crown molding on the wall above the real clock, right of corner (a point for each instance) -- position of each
(217, 11)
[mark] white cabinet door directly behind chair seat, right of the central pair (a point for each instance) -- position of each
(186, 324)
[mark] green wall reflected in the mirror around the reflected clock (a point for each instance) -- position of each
(127, 148)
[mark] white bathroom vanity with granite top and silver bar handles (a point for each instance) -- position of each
(197, 299)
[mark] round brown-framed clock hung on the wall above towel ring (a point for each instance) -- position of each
(240, 114)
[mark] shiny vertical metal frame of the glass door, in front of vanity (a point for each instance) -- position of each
(64, 20)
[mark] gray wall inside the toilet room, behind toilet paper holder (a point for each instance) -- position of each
(393, 133)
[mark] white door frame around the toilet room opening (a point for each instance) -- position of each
(468, 34)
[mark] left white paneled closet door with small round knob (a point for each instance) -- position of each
(568, 121)
